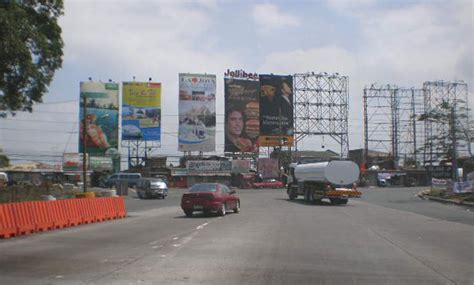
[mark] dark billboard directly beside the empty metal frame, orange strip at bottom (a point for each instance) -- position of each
(276, 110)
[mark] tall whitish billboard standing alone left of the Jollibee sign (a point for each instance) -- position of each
(197, 112)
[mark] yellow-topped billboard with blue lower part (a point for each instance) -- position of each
(141, 111)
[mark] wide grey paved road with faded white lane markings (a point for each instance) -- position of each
(272, 241)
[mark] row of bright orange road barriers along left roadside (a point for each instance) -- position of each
(38, 216)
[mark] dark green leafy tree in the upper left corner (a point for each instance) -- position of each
(30, 51)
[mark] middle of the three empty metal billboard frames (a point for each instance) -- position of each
(390, 122)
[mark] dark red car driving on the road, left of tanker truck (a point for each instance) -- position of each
(210, 197)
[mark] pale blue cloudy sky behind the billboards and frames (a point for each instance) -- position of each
(388, 42)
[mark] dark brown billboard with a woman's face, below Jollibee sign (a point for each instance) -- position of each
(241, 115)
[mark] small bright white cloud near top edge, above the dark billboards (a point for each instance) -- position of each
(269, 17)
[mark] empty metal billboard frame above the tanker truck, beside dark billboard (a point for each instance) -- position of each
(321, 107)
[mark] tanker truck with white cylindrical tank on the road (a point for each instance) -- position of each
(333, 180)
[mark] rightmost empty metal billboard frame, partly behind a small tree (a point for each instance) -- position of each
(456, 94)
